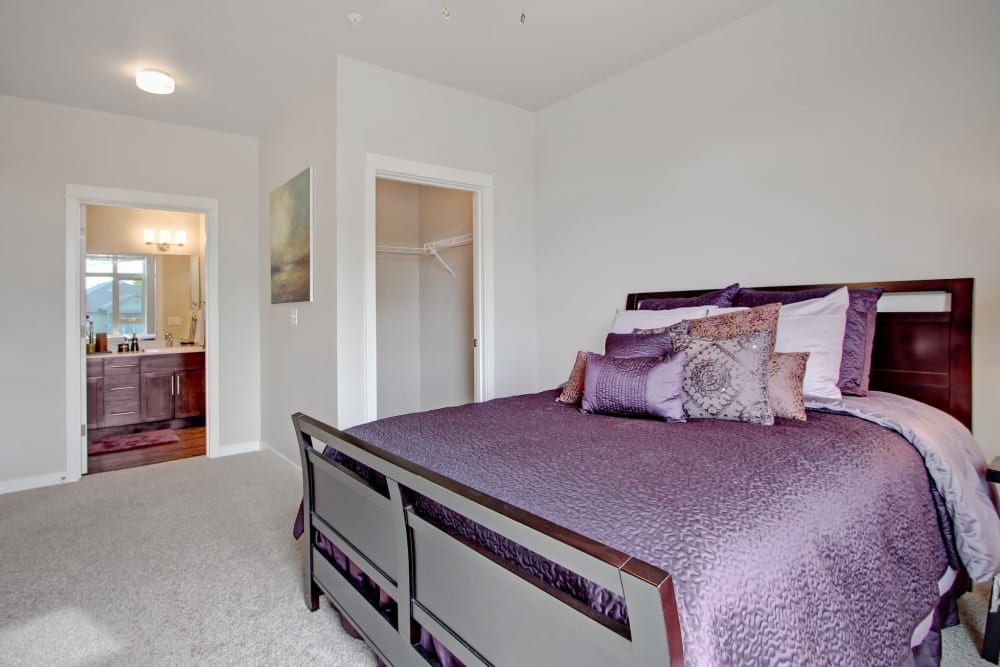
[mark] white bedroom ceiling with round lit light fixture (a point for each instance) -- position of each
(237, 61)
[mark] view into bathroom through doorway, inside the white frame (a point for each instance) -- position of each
(142, 295)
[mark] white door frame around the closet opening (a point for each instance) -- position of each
(481, 185)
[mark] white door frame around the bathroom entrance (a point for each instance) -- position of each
(77, 196)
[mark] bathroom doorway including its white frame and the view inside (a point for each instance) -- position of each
(140, 272)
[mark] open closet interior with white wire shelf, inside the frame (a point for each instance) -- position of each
(425, 297)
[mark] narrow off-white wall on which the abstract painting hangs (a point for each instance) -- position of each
(299, 363)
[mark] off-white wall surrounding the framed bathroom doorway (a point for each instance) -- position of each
(44, 147)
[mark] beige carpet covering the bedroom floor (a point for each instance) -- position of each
(191, 563)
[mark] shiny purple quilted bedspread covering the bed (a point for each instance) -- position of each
(796, 543)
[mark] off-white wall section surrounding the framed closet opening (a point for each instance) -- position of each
(387, 113)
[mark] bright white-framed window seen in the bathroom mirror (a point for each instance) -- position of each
(118, 293)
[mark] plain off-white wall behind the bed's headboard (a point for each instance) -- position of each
(812, 141)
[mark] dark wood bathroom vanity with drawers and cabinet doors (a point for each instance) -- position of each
(133, 391)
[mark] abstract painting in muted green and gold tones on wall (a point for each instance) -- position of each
(291, 240)
